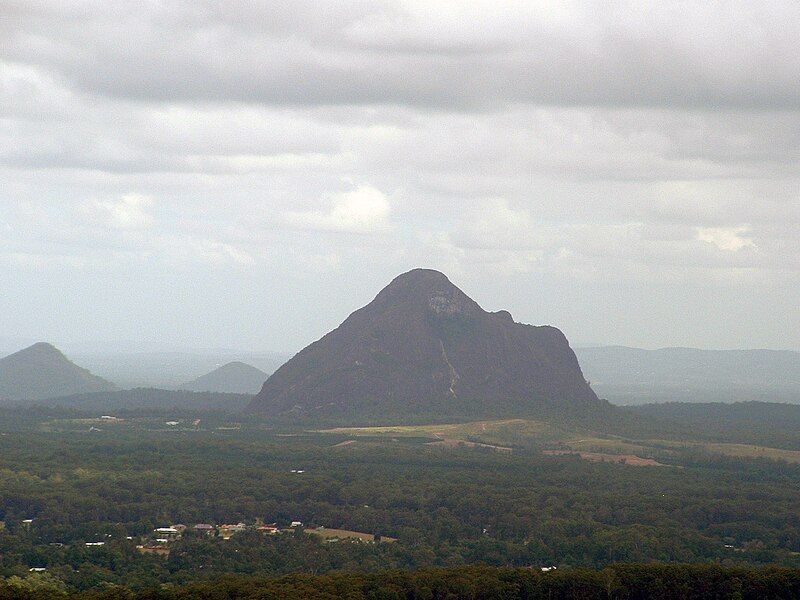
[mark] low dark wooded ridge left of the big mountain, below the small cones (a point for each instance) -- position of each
(151, 399)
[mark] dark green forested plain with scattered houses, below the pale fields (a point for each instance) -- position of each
(76, 503)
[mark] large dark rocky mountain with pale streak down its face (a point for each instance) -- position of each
(423, 347)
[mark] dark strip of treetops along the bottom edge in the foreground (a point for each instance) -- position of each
(618, 582)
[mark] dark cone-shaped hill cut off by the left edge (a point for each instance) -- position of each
(42, 371)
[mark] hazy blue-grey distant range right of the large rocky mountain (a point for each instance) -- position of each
(636, 376)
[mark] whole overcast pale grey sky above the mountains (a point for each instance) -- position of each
(246, 174)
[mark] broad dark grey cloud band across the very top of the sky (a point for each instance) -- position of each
(734, 56)
